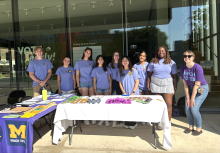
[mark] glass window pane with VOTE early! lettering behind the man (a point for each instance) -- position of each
(41, 23)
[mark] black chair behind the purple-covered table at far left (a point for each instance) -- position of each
(16, 96)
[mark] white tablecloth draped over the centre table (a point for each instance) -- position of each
(155, 111)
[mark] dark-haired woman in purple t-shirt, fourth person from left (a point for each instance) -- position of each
(102, 81)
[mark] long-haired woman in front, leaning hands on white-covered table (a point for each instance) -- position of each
(128, 82)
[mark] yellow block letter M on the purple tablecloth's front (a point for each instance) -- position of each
(19, 131)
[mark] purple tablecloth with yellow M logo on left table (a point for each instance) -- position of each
(16, 134)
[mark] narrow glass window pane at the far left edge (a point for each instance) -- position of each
(7, 73)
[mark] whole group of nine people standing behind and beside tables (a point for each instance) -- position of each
(159, 77)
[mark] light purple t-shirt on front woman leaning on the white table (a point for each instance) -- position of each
(128, 80)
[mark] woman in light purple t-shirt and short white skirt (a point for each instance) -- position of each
(162, 77)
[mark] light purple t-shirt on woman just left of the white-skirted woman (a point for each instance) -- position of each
(142, 71)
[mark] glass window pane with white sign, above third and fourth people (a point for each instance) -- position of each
(95, 24)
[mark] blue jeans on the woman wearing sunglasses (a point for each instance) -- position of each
(193, 113)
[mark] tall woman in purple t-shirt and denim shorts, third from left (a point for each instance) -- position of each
(84, 80)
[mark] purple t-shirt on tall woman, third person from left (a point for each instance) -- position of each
(85, 69)
